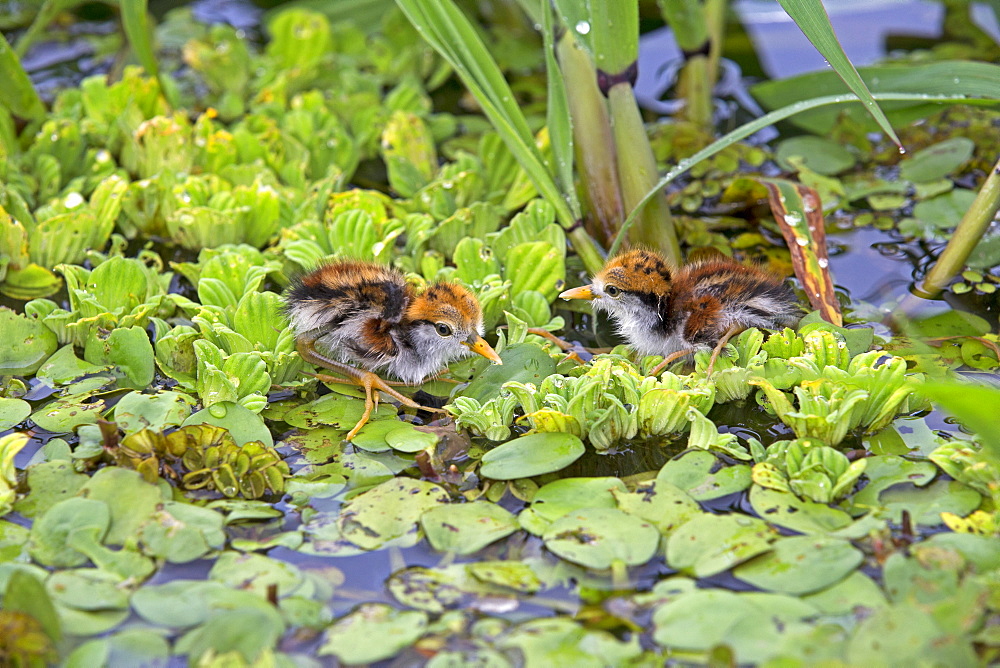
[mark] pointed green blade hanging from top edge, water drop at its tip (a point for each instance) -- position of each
(811, 18)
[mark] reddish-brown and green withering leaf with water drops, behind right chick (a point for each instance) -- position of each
(799, 214)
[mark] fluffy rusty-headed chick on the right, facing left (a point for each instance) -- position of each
(669, 311)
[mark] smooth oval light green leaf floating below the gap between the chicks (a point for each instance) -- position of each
(532, 455)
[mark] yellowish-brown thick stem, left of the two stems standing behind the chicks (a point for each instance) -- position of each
(595, 148)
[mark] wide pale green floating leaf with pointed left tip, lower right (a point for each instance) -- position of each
(801, 565)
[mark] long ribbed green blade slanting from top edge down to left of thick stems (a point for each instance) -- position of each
(446, 29)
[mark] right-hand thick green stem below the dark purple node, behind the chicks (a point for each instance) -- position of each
(637, 172)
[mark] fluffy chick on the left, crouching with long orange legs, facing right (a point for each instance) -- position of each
(351, 314)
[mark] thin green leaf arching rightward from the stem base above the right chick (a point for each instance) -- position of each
(748, 129)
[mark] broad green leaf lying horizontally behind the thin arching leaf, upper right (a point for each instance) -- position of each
(952, 78)
